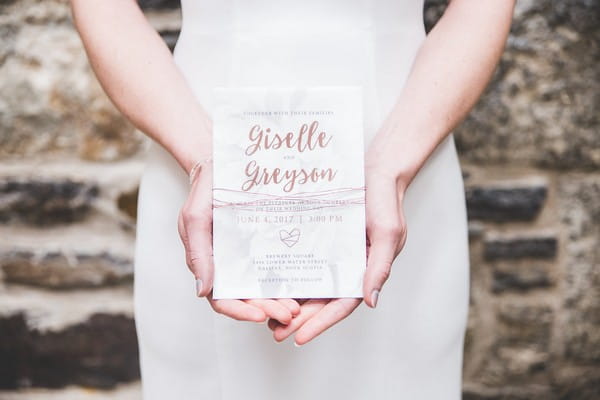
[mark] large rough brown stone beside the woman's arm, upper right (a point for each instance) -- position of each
(541, 108)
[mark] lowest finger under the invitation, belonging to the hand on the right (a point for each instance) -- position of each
(329, 315)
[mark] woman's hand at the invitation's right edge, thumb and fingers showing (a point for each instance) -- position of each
(386, 235)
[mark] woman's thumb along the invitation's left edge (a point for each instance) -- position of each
(197, 225)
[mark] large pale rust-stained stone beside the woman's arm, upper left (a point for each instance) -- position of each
(51, 102)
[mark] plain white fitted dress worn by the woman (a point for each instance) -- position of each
(411, 345)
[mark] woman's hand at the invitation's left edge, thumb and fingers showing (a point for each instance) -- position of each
(195, 229)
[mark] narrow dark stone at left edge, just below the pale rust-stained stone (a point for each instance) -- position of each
(45, 202)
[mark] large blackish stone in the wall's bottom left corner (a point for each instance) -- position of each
(99, 352)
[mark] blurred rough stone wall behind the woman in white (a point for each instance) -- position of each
(70, 167)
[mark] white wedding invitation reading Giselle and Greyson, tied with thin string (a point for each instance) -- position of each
(288, 192)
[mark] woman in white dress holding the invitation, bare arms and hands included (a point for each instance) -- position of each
(417, 89)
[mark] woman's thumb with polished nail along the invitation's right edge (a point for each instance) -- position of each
(384, 246)
